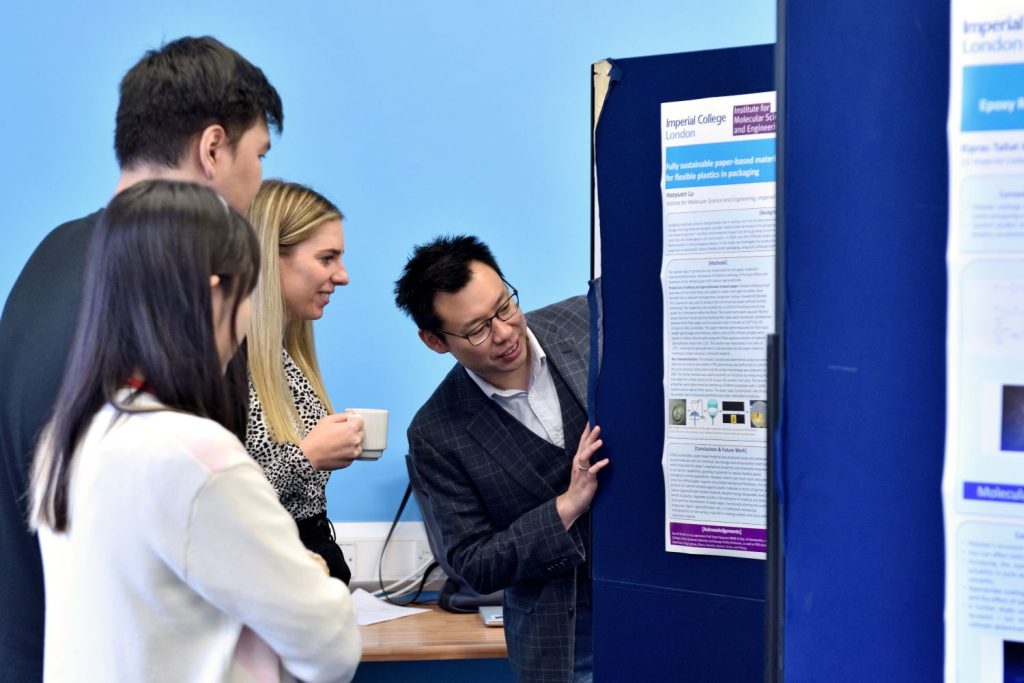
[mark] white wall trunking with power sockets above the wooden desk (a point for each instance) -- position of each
(408, 553)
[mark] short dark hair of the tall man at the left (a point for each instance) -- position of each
(174, 94)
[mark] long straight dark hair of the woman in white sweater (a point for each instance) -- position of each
(147, 311)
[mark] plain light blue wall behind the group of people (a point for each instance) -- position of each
(417, 118)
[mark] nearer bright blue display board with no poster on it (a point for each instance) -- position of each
(863, 293)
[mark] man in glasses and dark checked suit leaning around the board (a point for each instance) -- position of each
(504, 450)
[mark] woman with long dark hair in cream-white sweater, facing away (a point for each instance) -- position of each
(166, 554)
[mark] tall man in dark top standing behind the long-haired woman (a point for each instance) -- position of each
(194, 110)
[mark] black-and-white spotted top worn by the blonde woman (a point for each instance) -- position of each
(301, 488)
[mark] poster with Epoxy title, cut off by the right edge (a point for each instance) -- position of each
(984, 479)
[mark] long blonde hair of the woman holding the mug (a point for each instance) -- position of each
(283, 215)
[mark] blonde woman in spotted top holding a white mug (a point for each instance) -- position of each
(293, 432)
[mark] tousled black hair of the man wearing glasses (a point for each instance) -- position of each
(441, 266)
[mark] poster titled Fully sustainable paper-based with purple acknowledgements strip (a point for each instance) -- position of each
(718, 279)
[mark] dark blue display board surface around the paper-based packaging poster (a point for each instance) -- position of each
(659, 616)
